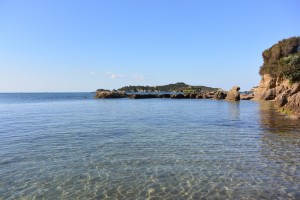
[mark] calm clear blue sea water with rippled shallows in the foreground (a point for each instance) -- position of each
(71, 146)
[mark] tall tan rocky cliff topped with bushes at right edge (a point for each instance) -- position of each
(280, 73)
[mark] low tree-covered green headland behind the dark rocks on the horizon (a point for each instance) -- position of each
(177, 87)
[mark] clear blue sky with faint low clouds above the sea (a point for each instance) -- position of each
(55, 45)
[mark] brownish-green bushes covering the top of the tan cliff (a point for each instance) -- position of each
(283, 59)
